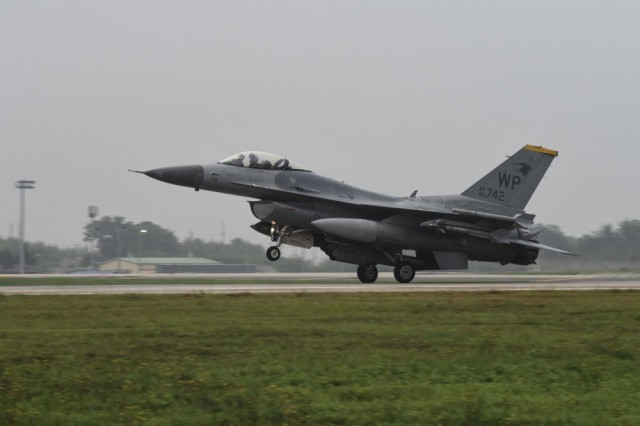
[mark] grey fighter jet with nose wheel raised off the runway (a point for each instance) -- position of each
(295, 206)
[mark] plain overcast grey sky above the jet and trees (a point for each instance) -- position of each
(390, 96)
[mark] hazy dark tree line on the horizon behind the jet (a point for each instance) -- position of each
(609, 248)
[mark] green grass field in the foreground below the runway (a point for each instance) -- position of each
(346, 359)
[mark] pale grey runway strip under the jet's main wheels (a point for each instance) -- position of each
(334, 283)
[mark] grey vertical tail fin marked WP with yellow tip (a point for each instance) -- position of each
(513, 182)
